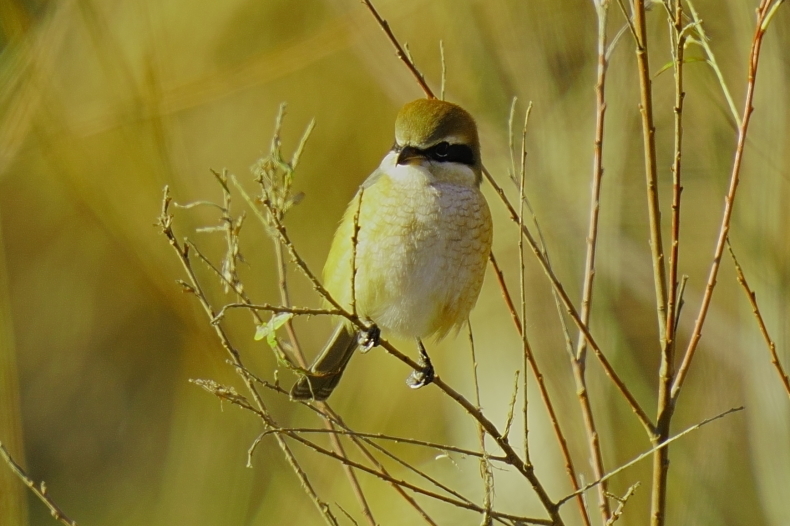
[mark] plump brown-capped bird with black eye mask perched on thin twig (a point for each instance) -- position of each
(415, 241)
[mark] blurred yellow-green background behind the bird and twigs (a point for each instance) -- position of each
(104, 103)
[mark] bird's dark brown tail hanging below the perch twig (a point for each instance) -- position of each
(327, 369)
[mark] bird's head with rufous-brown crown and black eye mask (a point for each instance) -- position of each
(440, 136)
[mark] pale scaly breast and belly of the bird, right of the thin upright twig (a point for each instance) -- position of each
(421, 259)
